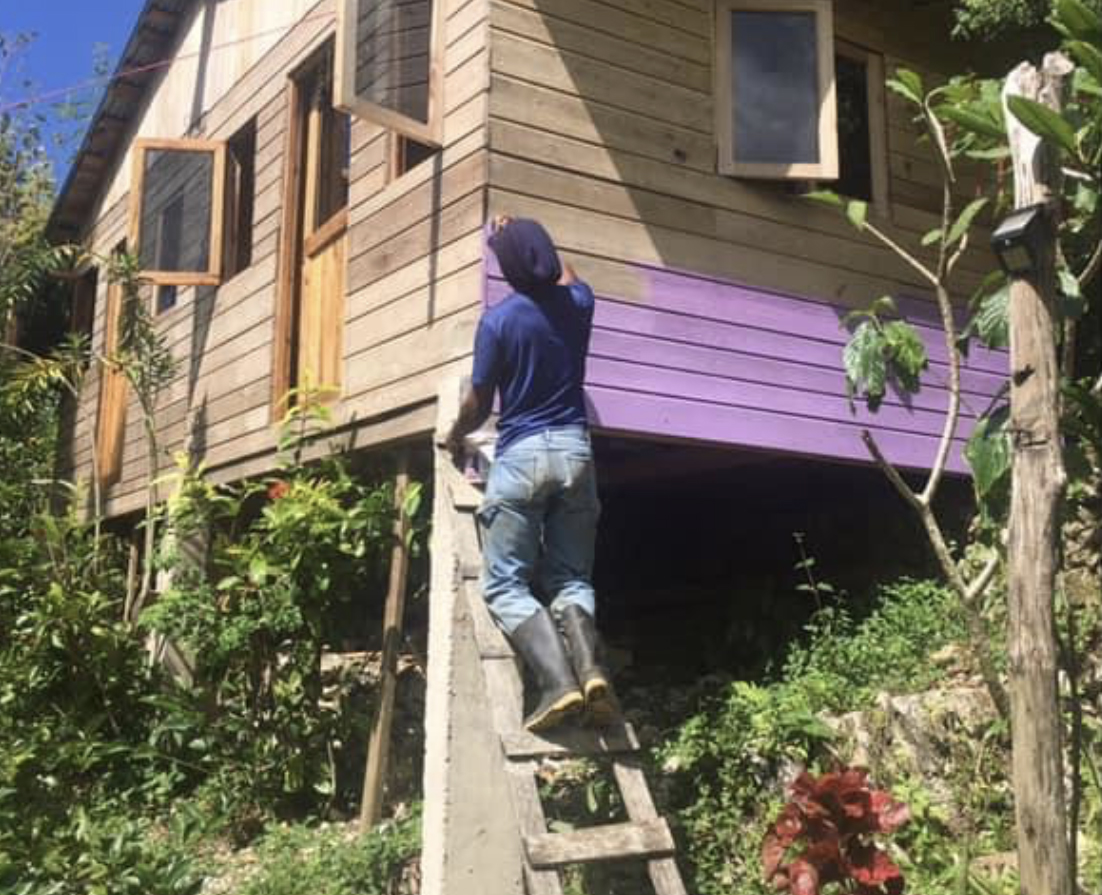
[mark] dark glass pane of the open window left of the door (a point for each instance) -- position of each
(176, 211)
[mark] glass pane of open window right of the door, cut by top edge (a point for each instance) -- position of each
(393, 48)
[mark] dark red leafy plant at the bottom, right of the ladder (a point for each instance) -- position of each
(826, 835)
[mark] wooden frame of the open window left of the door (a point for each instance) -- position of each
(218, 149)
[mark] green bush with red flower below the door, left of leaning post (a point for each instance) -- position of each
(287, 569)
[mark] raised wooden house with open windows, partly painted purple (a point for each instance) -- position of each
(307, 185)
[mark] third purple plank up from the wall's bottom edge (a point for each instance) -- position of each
(665, 354)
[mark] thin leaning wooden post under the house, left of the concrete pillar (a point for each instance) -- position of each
(379, 748)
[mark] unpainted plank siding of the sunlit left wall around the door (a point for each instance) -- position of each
(415, 278)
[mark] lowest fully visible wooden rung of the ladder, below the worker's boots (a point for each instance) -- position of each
(614, 842)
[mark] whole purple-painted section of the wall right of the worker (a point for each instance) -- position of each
(712, 361)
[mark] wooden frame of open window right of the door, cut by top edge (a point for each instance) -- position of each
(344, 80)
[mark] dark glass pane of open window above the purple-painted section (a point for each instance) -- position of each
(776, 88)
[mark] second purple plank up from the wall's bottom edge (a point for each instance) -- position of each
(786, 402)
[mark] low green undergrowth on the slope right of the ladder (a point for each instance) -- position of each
(729, 761)
